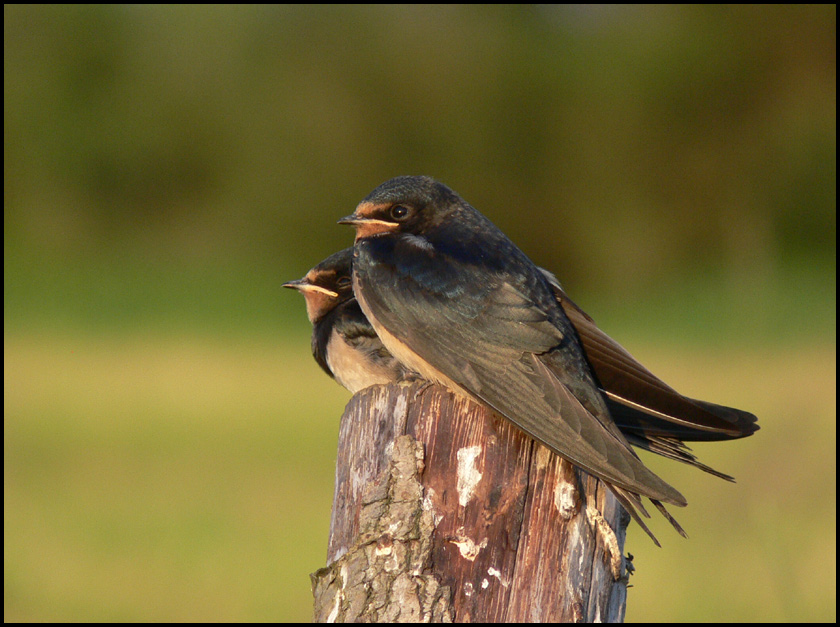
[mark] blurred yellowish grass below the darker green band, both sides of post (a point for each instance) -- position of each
(160, 477)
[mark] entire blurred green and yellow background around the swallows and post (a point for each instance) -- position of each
(169, 442)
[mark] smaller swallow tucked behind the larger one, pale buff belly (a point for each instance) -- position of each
(343, 341)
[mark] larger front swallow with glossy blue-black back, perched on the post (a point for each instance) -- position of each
(457, 302)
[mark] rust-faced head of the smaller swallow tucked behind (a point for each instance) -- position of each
(327, 285)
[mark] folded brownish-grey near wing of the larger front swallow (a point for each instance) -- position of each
(495, 342)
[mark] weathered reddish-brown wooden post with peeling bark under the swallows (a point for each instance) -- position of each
(444, 511)
